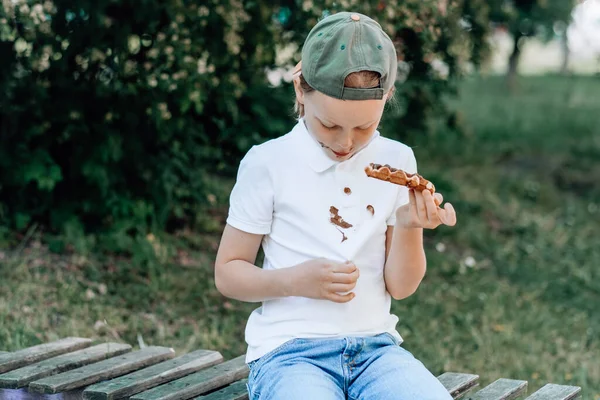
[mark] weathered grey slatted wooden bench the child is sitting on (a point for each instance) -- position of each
(74, 368)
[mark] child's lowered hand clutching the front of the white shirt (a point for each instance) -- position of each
(323, 279)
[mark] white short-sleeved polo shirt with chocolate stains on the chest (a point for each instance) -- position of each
(285, 190)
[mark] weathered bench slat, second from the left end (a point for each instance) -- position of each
(22, 377)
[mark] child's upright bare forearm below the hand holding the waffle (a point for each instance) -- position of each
(406, 263)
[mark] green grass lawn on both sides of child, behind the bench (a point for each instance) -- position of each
(512, 291)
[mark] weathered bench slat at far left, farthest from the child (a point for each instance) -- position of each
(33, 354)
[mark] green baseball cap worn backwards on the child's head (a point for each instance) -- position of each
(343, 43)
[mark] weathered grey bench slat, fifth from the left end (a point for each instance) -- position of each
(198, 383)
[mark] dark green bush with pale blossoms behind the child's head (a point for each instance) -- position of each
(115, 115)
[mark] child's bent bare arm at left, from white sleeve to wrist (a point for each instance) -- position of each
(237, 277)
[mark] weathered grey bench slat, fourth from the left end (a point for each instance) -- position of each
(153, 376)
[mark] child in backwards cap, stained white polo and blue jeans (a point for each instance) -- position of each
(338, 245)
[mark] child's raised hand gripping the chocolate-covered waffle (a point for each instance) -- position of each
(423, 211)
